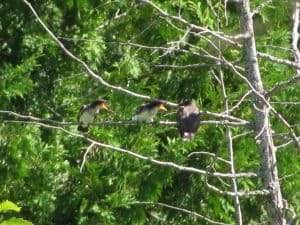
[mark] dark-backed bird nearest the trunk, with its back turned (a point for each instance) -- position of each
(188, 119)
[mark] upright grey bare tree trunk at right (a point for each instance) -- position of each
(262, 126)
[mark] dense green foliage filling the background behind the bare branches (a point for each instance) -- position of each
(40, 167)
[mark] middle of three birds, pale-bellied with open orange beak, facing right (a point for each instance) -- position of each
(146, 112)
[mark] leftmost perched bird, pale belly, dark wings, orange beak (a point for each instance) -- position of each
(88, 113)
